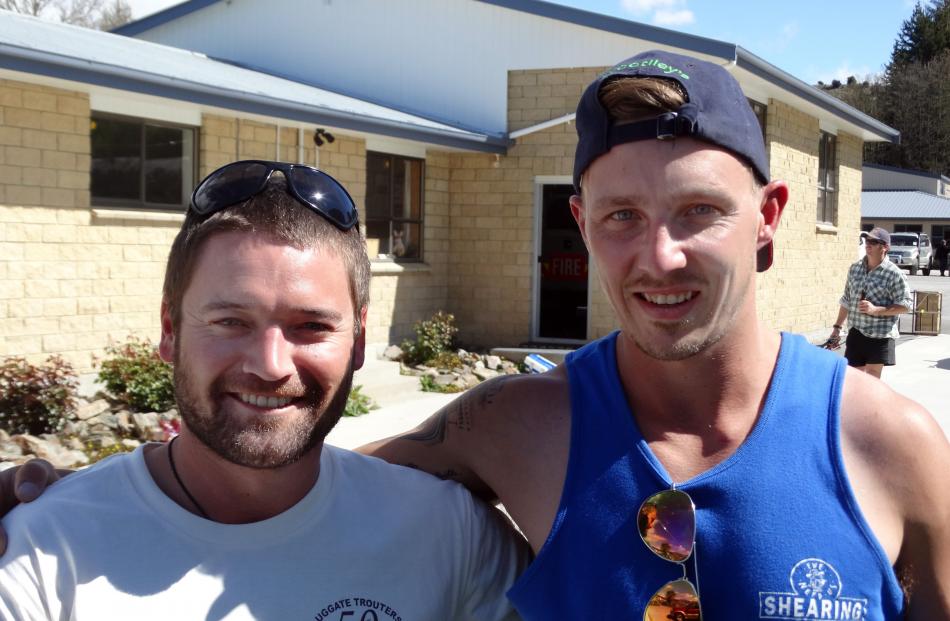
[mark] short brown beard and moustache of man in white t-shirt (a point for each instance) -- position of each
(263, 442)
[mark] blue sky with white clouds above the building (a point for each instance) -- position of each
(814, 40)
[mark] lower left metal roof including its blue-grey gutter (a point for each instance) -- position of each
(35, 46)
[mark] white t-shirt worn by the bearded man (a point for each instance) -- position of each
(369, 542)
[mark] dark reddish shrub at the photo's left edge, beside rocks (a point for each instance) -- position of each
(36, 399)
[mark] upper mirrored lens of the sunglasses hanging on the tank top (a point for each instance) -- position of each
(667, 524)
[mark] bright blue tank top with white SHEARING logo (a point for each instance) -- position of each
(779, 534)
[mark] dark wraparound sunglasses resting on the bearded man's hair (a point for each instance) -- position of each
(236, 182)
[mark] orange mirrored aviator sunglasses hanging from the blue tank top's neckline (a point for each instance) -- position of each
(667, 525)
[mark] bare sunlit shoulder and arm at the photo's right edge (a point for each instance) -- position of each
(898, 460)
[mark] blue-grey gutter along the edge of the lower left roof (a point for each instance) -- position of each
(111, 76)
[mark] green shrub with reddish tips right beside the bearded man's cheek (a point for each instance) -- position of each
(135, 374)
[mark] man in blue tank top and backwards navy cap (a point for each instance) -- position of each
(814, 491)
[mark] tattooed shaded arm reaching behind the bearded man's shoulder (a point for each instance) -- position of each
(506, 439)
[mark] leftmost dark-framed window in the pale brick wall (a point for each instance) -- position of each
(138, 163)
